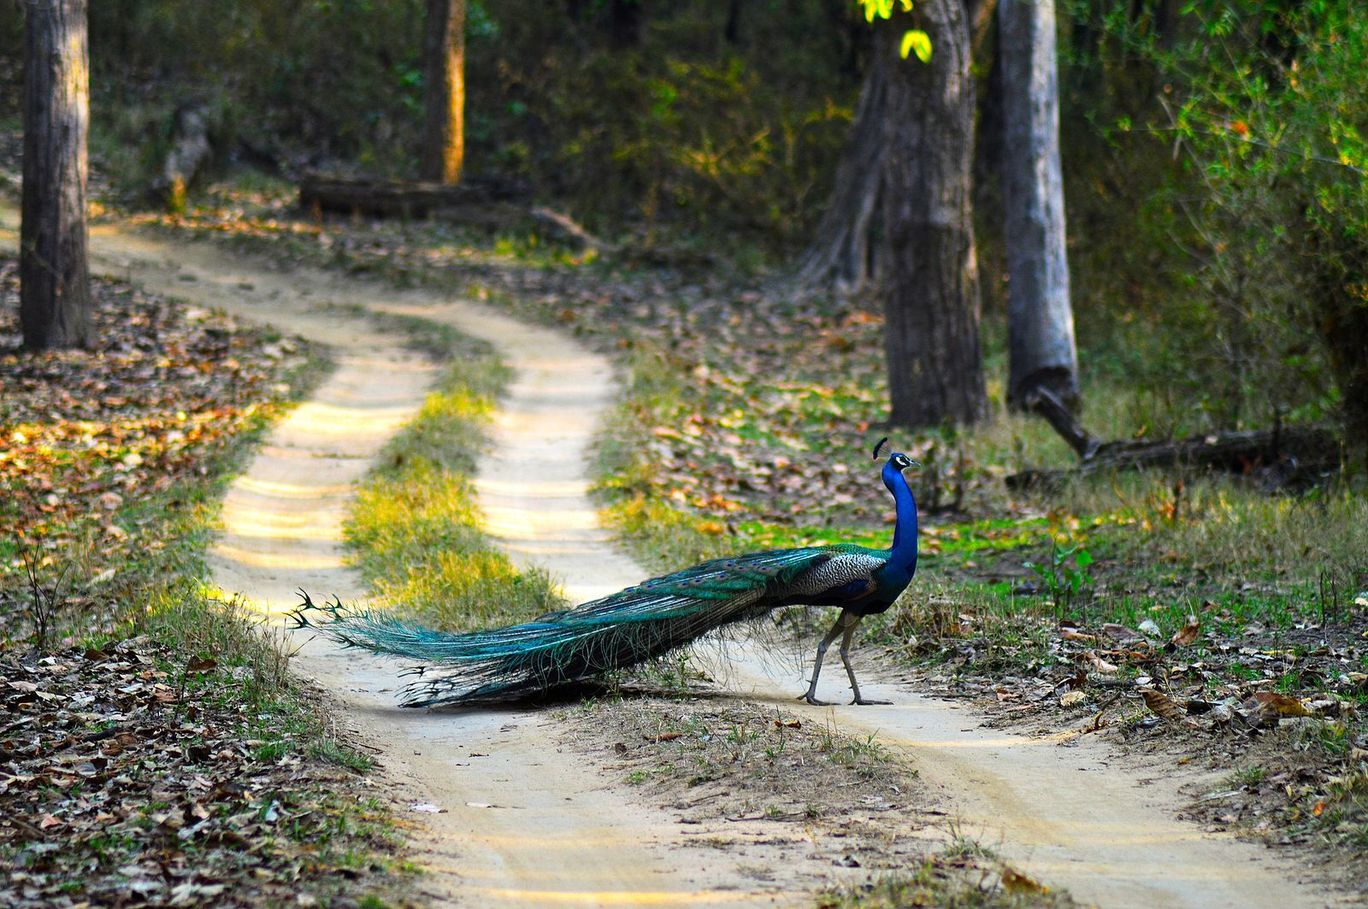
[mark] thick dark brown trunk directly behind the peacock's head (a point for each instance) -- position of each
(931, 294)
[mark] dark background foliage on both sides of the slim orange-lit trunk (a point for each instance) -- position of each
(683, 117)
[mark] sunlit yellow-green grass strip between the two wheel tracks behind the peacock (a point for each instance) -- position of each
(415, 528)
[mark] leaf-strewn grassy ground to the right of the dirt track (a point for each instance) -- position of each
(1173, 614)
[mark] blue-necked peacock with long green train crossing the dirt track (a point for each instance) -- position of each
(648, 621)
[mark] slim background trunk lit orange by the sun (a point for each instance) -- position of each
(444, 75)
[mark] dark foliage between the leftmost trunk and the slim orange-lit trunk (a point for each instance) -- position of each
(324, 77)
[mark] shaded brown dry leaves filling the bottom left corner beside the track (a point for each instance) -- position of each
(127, 781)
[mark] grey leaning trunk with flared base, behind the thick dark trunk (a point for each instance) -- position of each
(845, 255)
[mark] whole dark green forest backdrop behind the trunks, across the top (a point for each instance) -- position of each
(1220, 284)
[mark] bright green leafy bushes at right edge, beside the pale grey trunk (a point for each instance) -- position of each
(1250, 123)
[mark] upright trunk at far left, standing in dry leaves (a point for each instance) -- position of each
(54, 274)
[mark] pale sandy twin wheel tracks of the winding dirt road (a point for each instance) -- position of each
(523, 823)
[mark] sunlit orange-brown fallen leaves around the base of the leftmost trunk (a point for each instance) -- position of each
(87, 437)
